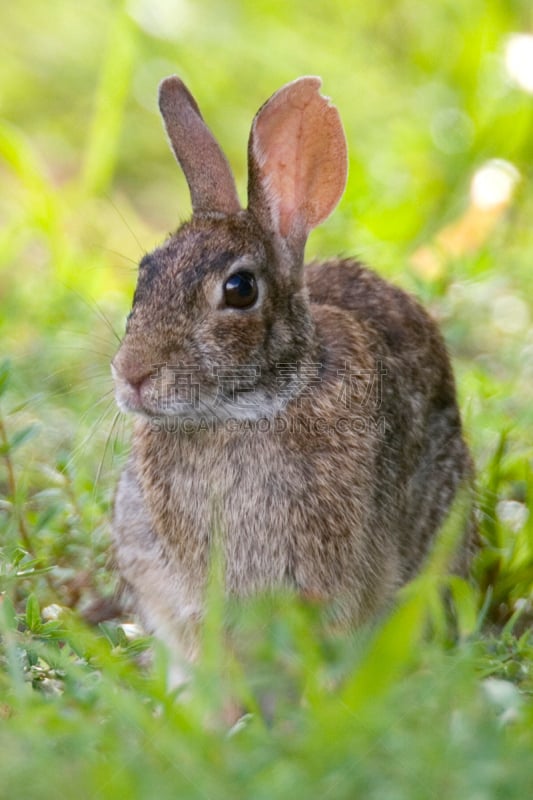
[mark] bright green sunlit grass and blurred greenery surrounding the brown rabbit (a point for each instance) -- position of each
(411, 708)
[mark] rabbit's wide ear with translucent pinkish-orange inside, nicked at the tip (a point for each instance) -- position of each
(297, 161)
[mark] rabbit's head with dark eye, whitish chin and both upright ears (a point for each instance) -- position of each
(220, 318)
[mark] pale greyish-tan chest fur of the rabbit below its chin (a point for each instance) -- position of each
(242, 494)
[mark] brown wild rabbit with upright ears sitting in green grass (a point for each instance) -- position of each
(304, 414)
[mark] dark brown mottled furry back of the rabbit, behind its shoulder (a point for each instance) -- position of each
(422, 458)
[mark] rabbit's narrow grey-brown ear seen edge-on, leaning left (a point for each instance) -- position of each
(205, 167)
